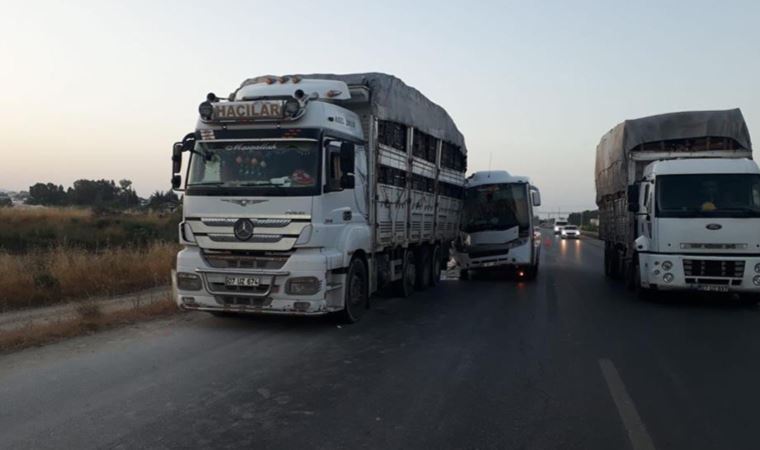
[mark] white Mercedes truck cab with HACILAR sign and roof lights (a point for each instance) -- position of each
(274, 200)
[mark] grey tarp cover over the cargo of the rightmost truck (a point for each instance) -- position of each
(612, 153)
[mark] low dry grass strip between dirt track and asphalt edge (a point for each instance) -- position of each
(91, 319)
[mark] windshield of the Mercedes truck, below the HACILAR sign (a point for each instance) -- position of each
(264, 167)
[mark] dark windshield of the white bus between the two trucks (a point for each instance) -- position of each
(496, 207)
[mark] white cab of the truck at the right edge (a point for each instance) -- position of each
(698, 225)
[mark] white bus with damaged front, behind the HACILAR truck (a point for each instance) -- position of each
(498, 225)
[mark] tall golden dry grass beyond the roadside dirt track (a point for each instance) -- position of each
(44, 277)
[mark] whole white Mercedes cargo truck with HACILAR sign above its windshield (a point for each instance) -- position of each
(305, 194)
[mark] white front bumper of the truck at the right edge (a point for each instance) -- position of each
(699, 272)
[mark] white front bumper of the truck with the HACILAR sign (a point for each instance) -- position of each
(270, 297)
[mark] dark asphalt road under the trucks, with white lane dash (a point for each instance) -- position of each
(569, 361)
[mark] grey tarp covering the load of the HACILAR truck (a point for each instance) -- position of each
(391, 99)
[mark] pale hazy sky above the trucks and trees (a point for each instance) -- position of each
(102, 89)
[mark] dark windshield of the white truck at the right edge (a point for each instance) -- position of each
(708, 195)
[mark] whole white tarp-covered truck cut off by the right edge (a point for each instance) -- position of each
(679, 203)
